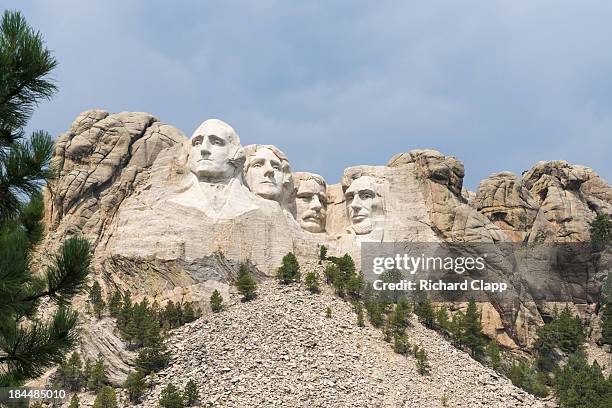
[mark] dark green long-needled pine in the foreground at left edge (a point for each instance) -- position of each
(29, 347)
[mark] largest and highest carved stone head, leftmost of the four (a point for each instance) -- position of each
(215, 154)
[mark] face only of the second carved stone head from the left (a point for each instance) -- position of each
(265, 174)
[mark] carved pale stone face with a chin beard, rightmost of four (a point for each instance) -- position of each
(364, 204)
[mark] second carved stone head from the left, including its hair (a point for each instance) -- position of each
(267, 172)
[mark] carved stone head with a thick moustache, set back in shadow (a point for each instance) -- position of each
(310, 201)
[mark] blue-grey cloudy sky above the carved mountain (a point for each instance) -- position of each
(499, 84)
